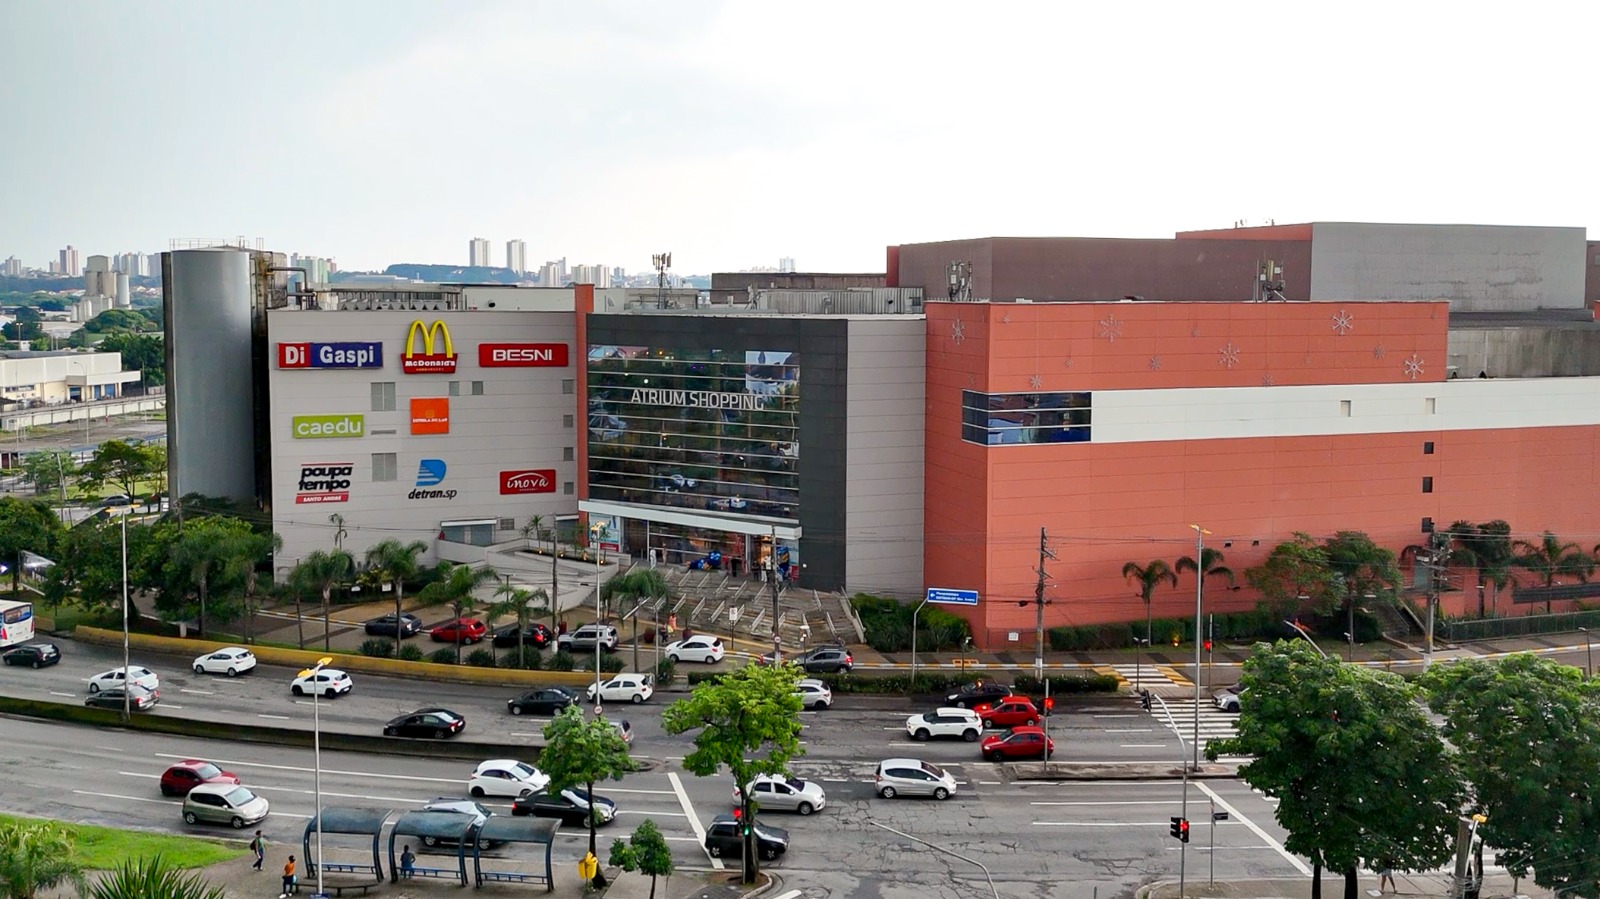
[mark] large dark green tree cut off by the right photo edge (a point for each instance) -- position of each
(1534, 729)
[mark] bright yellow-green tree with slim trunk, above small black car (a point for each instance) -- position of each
(750, 724)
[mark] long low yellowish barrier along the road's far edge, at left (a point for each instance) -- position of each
(346, 661)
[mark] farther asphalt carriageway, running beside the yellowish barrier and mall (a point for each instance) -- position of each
(1095, 729)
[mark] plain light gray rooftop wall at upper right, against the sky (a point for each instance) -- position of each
(1476, 268)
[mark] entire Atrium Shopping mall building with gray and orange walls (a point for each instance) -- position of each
(1103, 394)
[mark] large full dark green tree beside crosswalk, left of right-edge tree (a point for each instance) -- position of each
(1316, 729)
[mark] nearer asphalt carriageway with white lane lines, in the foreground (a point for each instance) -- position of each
(1089, 839)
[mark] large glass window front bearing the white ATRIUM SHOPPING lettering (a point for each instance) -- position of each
(695, 430)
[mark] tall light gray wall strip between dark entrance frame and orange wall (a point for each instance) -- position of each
(884, 457)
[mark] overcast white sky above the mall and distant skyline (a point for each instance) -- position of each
(734, 134)
